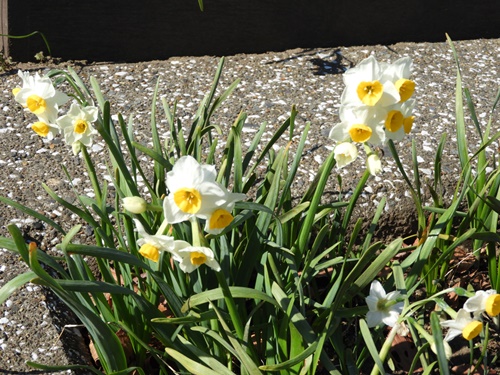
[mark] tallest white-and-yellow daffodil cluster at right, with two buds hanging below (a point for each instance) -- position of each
(376, 105)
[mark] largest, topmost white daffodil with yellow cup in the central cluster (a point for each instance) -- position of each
(194, 191)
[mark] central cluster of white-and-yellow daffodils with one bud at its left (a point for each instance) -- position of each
(194, 194)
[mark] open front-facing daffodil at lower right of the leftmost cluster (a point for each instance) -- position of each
(76, 125)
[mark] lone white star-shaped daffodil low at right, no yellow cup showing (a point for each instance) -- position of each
(383, 307)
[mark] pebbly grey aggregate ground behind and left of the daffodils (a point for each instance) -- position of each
(32, 321)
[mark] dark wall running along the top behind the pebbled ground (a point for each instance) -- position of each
(131, 30)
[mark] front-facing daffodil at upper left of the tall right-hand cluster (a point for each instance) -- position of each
(365, 84)
